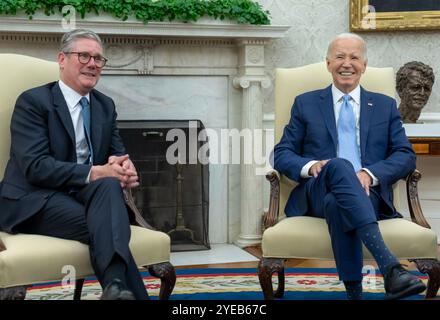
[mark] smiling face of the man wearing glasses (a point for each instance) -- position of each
(80, 77)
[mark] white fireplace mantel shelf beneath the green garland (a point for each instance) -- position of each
(104, 24)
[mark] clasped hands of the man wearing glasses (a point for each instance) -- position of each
(119, 167)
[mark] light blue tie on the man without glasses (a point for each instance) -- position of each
(347, 141)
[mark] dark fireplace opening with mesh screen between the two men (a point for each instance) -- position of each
(172, 197)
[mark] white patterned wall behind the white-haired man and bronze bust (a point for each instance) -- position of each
(315, 22)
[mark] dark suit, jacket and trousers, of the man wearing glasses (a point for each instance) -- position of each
(44, 190)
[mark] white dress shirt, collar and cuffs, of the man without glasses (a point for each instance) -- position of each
(355, 101)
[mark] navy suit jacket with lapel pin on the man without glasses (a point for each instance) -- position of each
(311, 134)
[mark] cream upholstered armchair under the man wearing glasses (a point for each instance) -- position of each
(28, 259)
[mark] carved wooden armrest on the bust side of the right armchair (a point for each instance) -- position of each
(412, 193)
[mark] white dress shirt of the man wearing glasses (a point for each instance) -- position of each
(72, 99)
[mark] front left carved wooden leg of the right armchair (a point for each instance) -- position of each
(266, 268)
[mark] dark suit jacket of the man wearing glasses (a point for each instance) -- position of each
(43, 153)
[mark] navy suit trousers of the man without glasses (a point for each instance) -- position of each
(337, 196)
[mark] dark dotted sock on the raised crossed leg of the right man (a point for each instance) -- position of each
(372, 239)
